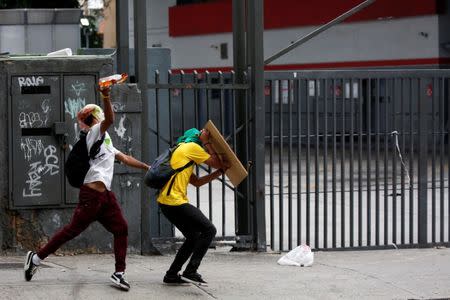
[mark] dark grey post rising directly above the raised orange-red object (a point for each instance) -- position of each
(122, 36)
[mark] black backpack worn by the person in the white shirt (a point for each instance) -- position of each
(77, 163)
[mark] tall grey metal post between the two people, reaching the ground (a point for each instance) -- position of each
(140, 58)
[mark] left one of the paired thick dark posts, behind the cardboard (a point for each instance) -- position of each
(240, 66)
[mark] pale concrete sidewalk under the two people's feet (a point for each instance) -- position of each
(382, 274)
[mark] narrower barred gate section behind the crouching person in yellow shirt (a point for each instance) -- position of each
(182, 101)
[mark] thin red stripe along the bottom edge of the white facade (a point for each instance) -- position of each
(409, 63)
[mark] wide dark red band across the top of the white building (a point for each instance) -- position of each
(216, 17)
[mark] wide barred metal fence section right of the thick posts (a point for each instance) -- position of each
(357, 159)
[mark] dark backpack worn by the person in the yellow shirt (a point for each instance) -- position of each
(160, 171)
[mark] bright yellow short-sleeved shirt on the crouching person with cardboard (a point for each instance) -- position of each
(185, 153)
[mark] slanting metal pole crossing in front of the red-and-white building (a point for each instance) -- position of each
(319, 30)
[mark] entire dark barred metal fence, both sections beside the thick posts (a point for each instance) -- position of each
(354, 159)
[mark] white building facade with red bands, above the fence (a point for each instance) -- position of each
(387, 34)
